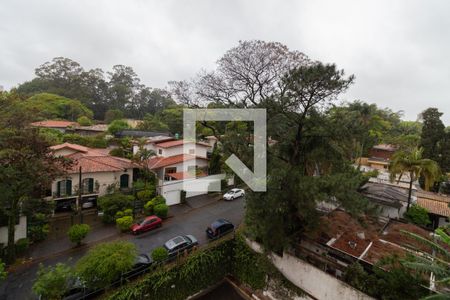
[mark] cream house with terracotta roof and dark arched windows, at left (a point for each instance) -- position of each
(100, 173)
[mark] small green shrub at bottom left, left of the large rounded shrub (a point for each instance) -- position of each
(52, 282)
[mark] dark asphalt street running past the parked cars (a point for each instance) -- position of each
(18, 285)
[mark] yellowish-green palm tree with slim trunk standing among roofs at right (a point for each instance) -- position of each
(412, 163)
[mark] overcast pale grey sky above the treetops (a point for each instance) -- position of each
(398, 50)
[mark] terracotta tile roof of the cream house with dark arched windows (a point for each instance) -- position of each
(93, 160)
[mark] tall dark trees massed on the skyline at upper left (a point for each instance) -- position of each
(119, 90)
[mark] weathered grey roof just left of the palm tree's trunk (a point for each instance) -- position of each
(385, 194)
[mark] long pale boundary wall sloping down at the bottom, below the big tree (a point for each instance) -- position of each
(312, 280)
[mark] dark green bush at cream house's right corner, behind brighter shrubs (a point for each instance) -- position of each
(112, 203)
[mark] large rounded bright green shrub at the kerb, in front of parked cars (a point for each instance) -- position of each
(105, 263)
